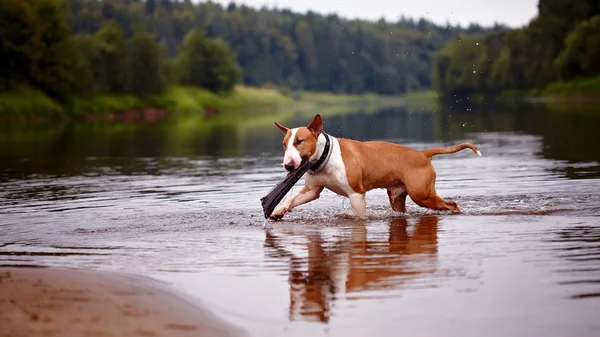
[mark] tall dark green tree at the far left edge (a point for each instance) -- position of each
(37, 48)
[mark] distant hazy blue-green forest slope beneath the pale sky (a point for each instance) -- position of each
(297, 51)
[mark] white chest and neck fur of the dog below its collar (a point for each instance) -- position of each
(333, 175)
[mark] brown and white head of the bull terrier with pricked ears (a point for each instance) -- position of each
(300, 144)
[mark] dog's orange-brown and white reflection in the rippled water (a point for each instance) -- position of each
(355, 263)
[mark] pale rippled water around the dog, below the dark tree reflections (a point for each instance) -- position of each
(526, 244)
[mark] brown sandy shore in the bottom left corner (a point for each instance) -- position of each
(57, 302)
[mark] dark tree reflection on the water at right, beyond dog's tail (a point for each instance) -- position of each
(567, 134)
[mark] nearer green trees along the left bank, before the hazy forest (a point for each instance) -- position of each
(39, 50)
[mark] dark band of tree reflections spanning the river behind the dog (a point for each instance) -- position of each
(568, 134)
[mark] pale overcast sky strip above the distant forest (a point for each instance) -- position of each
(485, 12)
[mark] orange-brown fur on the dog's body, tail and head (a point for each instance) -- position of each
(401, 170)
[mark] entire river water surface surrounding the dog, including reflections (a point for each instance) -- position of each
(183, 207)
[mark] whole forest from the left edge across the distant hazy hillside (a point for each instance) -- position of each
(67, 48)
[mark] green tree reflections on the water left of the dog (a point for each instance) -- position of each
(120, 147)
